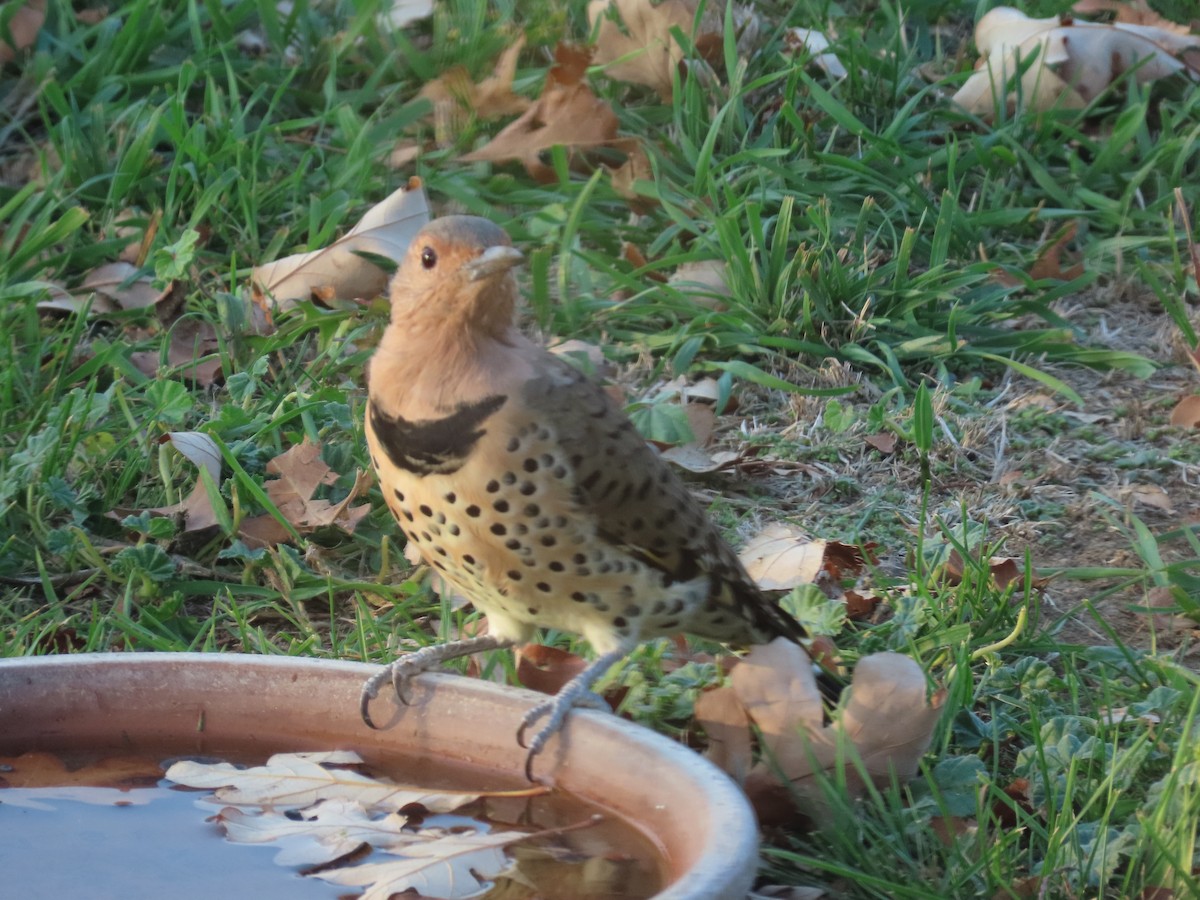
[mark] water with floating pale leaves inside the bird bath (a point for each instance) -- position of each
(112, 826)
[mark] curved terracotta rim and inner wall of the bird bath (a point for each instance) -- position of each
(213, 704)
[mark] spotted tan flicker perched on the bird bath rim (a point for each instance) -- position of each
(527, 488)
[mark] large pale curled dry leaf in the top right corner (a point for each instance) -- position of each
(1076, 61)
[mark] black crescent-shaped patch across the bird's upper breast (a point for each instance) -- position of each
(434, 446)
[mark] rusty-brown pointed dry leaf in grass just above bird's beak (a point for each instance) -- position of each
(568, 115)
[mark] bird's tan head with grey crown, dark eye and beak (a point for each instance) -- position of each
(458, 275)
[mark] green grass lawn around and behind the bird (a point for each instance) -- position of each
(865, 223)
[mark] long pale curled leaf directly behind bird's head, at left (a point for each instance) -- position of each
(338, 271)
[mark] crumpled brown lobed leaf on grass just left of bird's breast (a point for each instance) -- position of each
(302, 472)
